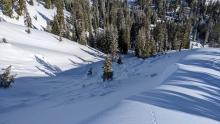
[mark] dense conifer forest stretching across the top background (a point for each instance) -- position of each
(115, 26)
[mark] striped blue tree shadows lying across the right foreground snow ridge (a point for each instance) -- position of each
(199, 94)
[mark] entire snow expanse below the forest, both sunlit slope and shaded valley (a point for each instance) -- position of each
(177, 87)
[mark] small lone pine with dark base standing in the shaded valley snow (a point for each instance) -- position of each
(108, 72)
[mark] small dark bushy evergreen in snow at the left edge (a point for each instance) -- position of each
(6, 78)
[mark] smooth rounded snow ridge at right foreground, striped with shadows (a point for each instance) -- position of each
(190, 95)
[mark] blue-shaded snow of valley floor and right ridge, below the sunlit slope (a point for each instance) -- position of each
(173, 88)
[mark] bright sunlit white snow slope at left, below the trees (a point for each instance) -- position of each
(40, 53)
